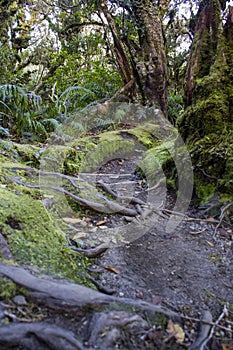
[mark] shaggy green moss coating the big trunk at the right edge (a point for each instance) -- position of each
(206, 125)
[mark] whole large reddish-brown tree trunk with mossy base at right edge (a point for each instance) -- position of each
(207, 121)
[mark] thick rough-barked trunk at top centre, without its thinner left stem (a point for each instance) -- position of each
(152, 62)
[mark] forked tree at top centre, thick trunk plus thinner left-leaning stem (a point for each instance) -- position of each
(147, 64)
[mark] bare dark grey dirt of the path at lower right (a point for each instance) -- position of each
(191, 268)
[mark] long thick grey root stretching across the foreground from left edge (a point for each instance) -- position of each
(63, 294)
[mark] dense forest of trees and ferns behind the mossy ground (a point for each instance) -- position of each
(60, 57)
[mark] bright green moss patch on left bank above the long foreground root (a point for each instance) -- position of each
(33, 239)
